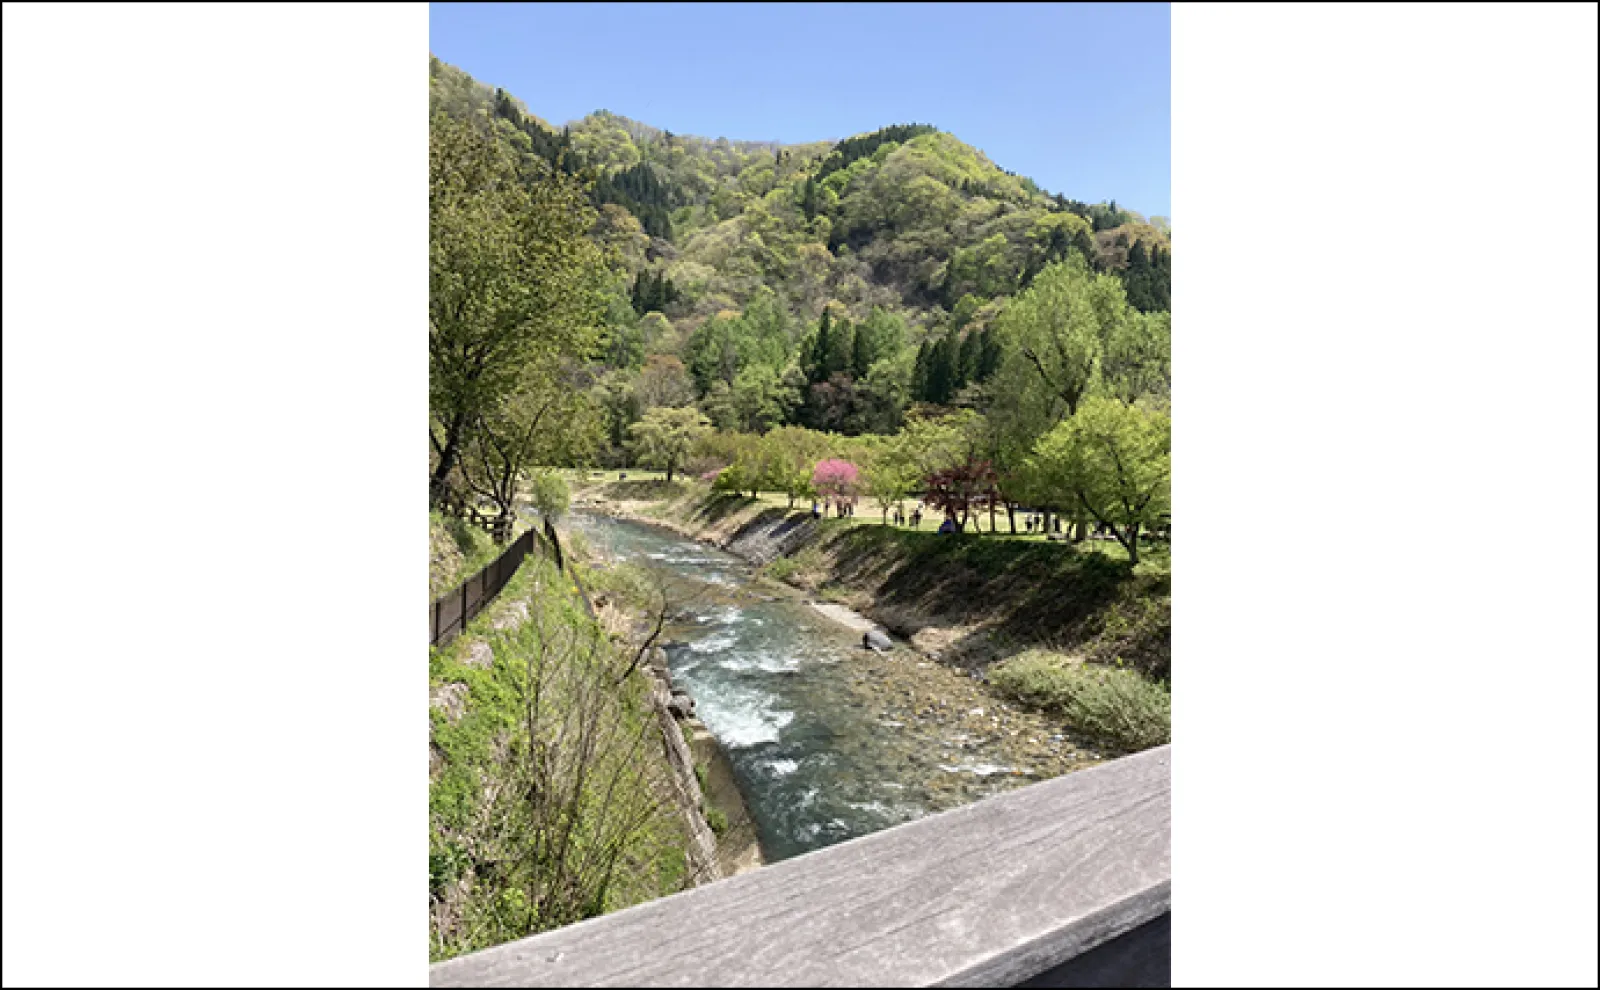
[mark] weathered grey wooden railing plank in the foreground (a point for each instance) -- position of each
(990, 895)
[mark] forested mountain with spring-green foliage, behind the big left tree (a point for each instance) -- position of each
(830, 285)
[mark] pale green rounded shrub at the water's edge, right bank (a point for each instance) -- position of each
(1110, 705)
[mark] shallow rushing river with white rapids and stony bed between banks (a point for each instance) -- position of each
(828, 741)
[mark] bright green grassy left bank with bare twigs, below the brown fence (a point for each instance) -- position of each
(550, 794)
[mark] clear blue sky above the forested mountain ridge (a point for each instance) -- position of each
(1074, 97)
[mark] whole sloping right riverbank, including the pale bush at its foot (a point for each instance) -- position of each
(1070, 631)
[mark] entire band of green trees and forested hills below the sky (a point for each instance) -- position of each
(609, 293)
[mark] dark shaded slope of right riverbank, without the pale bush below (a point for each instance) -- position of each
(964, 602)
